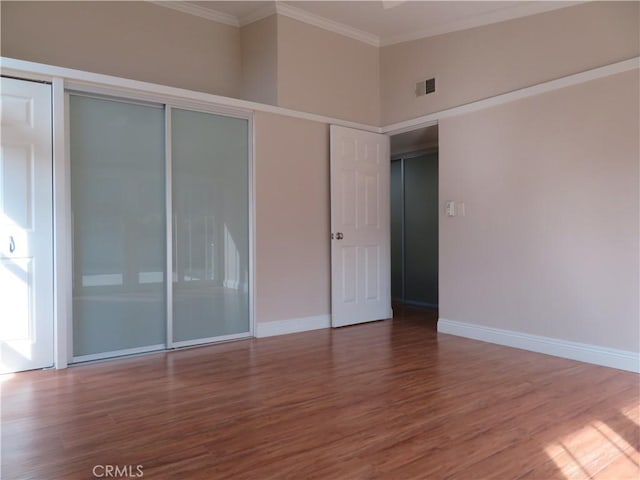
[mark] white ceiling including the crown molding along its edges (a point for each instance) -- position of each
(375, 22)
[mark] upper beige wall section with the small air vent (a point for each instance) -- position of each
(485, 61)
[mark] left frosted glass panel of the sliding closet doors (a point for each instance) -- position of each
(119, 247)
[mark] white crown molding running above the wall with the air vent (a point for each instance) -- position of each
(500, 15)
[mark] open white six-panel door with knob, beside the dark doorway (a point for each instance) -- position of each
(360, 244)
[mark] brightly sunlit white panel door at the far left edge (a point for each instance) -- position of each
(26, 229)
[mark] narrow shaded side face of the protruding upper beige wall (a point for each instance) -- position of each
(259, 44)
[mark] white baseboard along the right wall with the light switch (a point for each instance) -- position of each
(583, 352)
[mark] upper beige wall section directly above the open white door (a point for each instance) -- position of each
(326, 73)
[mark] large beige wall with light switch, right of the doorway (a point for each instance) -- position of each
(549, 243)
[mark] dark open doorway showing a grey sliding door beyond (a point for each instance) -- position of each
(414, 218)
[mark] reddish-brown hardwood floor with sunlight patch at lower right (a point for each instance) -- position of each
(388, 400)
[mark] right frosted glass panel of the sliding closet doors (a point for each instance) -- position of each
(210, 226)
